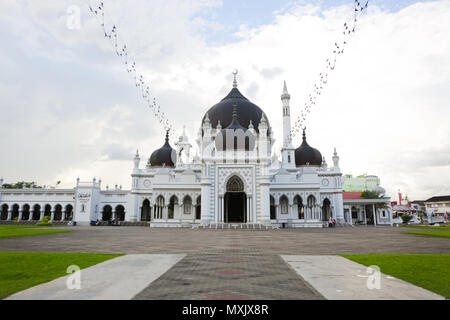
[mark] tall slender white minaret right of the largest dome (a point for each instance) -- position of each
(287, 151)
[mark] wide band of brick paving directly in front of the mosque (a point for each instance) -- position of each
(133, 240)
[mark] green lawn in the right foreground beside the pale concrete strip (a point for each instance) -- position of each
(429, 271)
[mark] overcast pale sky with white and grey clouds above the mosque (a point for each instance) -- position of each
(68, 108)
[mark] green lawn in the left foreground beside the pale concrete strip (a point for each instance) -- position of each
(22, 270)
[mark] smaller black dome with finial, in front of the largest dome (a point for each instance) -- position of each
(242, 140)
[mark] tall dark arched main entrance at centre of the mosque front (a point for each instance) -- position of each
(235, 201)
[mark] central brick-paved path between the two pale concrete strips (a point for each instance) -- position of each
(230, 276)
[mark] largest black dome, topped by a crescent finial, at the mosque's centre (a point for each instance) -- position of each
(223, 111)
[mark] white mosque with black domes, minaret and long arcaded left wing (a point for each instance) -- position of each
(234, 178)
